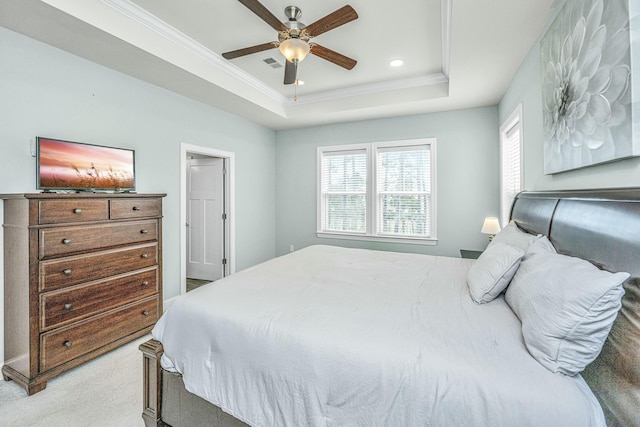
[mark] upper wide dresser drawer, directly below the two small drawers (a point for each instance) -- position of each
(68, 240)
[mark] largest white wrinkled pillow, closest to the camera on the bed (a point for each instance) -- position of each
(566, 306)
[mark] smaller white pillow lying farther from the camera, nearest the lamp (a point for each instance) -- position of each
(492, 272)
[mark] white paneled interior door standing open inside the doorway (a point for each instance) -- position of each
(205, 225)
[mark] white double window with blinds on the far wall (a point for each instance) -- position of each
(377, 191)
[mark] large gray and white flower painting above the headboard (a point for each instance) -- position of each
(586, 85)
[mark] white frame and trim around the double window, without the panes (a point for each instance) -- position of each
(372, 194)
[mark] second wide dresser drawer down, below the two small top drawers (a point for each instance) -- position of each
(59, 273)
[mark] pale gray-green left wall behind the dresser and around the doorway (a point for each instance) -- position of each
(47, 92)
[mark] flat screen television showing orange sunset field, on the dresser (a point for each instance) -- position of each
(66, 165)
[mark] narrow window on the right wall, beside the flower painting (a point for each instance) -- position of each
(511, 162)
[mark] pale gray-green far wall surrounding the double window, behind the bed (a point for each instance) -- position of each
(467, 176)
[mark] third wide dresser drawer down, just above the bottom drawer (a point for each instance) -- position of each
(64, 306)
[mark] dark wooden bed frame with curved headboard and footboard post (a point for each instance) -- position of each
(602, 226)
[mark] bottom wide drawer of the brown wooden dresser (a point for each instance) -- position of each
(64, 344)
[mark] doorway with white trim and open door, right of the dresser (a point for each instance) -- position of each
(207, 215)
